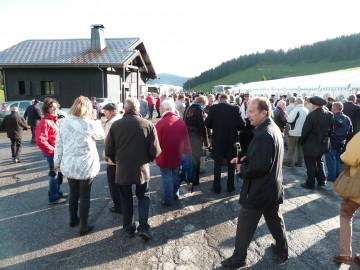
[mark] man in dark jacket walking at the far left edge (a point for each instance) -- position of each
(14, 125)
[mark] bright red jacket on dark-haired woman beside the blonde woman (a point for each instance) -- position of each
(45, 133)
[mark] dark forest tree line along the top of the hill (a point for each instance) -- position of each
(343, 48)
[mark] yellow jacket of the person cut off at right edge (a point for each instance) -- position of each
(351, 157)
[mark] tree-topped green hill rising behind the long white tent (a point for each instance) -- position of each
(324, 56)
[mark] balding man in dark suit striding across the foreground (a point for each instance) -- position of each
(262, 191)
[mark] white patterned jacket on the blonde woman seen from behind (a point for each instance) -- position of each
(75, 149)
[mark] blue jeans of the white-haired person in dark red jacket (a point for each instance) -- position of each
(170, 184)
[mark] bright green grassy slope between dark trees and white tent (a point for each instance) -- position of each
(276, 72)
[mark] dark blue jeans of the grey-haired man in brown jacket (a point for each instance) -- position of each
(127, 206)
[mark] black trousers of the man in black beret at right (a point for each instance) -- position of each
(315, 170)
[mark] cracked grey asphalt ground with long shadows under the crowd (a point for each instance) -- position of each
(197, 232)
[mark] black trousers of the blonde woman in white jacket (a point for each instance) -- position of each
(79, 189)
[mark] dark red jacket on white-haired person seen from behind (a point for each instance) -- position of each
(174, 141)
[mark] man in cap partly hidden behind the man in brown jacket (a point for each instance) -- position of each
(111, 114)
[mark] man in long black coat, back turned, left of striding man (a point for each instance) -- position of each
(225, 121)
